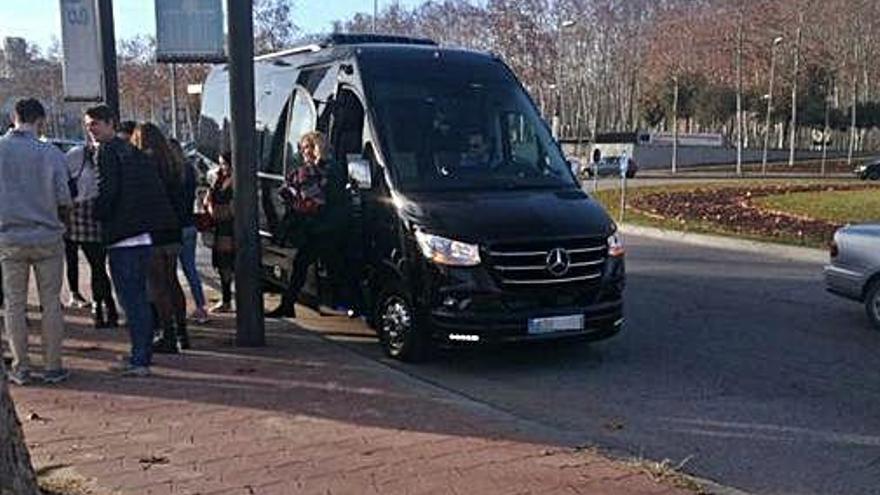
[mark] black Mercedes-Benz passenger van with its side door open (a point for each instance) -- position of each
(468, 223)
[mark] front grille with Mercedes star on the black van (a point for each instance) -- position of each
(537, 264)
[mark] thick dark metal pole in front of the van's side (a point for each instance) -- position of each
(248, 291)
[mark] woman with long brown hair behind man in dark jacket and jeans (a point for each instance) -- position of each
(164, 286)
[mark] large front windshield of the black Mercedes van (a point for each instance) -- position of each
(449, 128)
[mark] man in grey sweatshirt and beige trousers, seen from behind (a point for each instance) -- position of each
(34, 195)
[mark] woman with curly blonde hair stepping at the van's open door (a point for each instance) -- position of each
(316, 201)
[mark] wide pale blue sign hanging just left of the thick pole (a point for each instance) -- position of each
(189, 31)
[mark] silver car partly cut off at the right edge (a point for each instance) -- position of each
(854, 271)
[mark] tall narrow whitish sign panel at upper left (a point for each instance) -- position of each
(83, 69)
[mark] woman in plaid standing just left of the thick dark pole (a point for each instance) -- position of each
(219, 206)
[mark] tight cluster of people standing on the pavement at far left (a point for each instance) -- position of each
(126, 196)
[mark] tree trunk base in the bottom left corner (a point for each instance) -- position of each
(16, 472)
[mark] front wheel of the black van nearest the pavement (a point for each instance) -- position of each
(400, 334)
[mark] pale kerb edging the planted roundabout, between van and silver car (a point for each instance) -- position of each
(792, 253)
